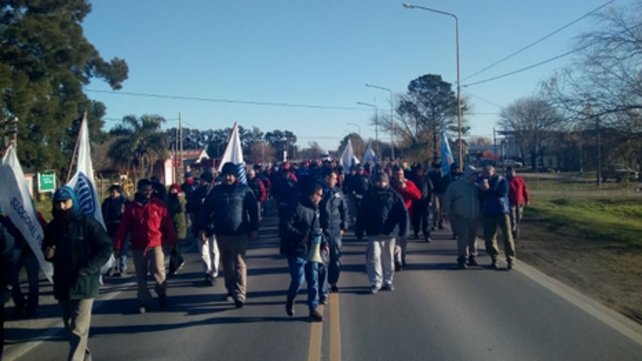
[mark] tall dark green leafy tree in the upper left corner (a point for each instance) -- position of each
(44, 62)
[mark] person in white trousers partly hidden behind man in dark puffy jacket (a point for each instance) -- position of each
(208, 247)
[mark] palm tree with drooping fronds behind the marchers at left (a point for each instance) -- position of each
(139, 144)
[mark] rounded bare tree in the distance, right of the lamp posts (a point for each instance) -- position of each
(530, 119)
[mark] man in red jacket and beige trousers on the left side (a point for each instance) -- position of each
(150, 226)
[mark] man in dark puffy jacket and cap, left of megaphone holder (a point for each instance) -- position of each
(231, 208)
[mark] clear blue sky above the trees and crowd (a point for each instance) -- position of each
(320, 53)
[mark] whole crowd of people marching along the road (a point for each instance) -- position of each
(317, 204)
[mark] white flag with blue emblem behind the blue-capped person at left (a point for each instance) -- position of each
(84, 185)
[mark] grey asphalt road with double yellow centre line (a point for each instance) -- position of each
(436, 313)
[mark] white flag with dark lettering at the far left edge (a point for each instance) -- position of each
(15, 199)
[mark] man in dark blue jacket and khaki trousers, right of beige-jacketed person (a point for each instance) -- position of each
(495, 210)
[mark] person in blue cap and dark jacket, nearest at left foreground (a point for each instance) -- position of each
(78, 246)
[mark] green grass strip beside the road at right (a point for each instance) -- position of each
(614, 222)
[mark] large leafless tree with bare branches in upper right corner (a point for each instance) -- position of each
(601, 90)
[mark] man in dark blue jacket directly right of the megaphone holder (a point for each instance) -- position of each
(334, 223)
